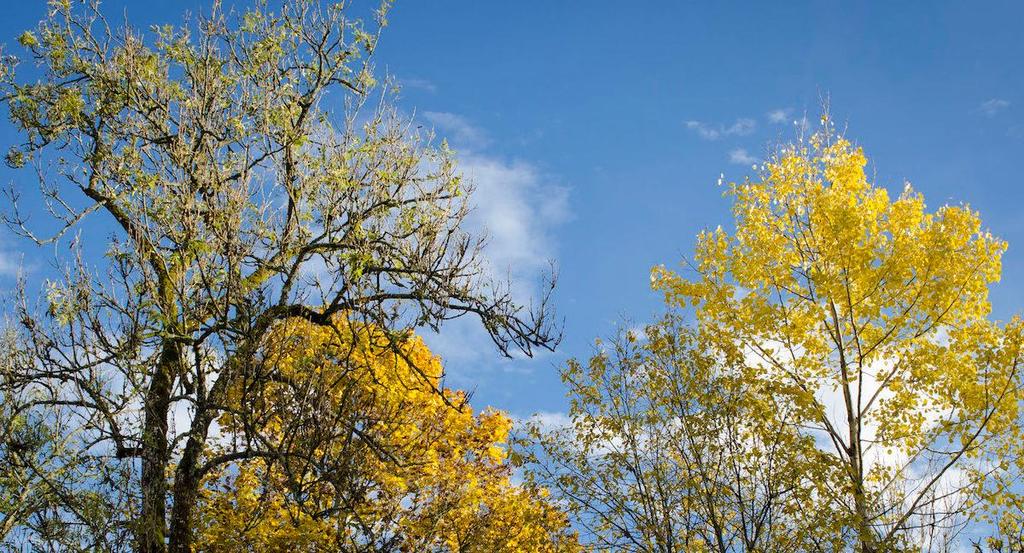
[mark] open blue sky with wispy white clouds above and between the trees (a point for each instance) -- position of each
(598, 133)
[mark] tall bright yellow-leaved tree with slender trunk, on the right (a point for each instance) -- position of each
(872, 316)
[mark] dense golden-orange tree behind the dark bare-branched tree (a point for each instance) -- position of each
(425, 475)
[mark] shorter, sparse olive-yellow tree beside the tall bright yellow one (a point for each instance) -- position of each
(673, 449)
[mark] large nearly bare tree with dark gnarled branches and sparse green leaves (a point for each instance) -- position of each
(243, 180)
